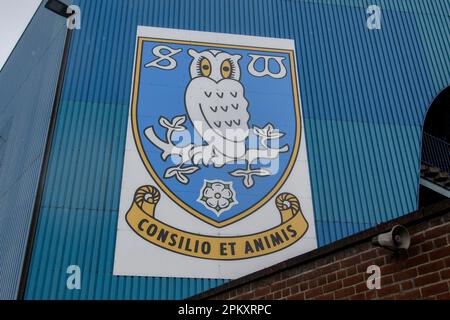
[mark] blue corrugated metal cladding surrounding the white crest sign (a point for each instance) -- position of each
(364, 95)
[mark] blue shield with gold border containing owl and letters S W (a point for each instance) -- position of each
(217, 125)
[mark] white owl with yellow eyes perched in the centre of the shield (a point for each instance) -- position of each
(216, 105)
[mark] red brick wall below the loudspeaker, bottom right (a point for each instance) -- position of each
(422, 273)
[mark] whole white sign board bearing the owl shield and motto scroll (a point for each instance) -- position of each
(215, 169)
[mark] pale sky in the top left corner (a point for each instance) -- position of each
(14, 18)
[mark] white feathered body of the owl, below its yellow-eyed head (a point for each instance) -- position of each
(221, 107)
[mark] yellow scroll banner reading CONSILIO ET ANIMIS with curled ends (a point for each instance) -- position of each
(141, 218)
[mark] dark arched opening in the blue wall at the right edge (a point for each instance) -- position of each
(435, 163)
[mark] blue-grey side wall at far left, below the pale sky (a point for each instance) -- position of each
(27, 90)
